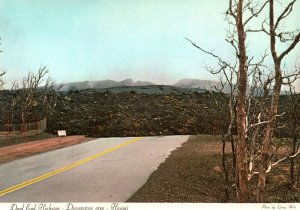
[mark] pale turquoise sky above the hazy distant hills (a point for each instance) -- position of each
(81, 40)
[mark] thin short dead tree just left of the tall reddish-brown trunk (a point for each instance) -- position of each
(224, 122)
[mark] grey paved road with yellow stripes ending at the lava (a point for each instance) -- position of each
(102, 170)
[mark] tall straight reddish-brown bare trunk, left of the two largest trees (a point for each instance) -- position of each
(241, 161)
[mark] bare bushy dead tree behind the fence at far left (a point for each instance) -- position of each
(33, 99)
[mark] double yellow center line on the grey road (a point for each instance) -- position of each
(68, 167)
